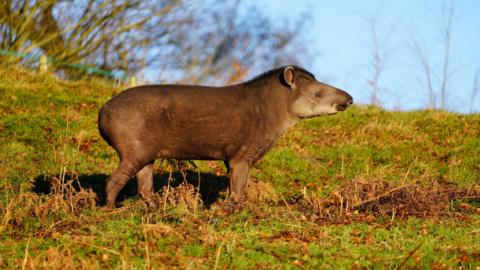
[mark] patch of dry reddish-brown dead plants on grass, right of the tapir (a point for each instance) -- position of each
(372, 199)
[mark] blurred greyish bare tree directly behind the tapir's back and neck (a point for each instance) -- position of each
(233, 41)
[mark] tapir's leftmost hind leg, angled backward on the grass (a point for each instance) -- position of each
(125, 171)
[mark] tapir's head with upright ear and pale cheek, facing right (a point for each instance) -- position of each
(311, 97)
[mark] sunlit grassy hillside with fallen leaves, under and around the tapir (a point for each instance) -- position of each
(364, 188)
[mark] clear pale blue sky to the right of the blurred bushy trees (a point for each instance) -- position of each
(342, 41)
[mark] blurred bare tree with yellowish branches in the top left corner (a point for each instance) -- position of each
(103, 33)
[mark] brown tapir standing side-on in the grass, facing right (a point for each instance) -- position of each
(236, 124)
